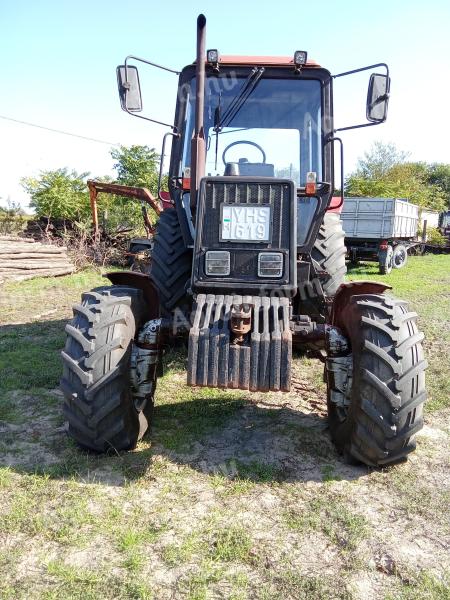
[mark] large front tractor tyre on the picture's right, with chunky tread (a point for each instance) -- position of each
(375, 413)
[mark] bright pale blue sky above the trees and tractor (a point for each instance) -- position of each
(59, 62)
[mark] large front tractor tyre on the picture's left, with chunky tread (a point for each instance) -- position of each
(96, 370)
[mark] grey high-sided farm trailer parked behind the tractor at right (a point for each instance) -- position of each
(383, 230)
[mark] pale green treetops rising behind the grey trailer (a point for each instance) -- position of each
(384, 172)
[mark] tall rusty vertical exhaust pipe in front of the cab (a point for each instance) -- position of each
(198, 144)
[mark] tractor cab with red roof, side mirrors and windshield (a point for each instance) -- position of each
(258, 117)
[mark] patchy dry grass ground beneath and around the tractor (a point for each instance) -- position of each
(227, 497)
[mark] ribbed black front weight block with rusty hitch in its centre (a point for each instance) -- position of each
(240, 342)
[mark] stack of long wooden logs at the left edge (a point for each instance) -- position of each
(22, 258)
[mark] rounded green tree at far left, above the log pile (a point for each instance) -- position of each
(60, 194)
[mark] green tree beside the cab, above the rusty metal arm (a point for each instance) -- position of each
(137, 166)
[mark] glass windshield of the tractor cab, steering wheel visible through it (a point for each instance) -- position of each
(276, 129)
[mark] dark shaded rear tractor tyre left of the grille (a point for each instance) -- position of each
(171, 263)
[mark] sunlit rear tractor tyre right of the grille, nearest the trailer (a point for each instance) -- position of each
(329, 251)
